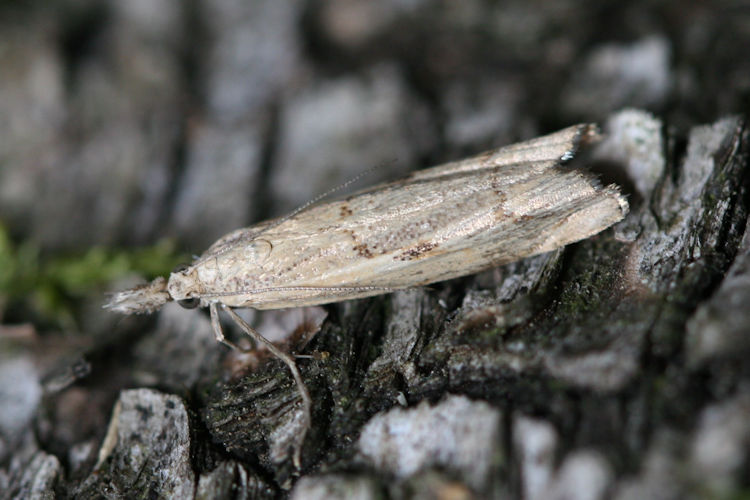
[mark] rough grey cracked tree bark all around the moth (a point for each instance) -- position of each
(612, 368)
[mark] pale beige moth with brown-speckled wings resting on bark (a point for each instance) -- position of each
(433, 225)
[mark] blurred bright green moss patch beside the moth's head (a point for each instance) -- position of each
(50, 287)
